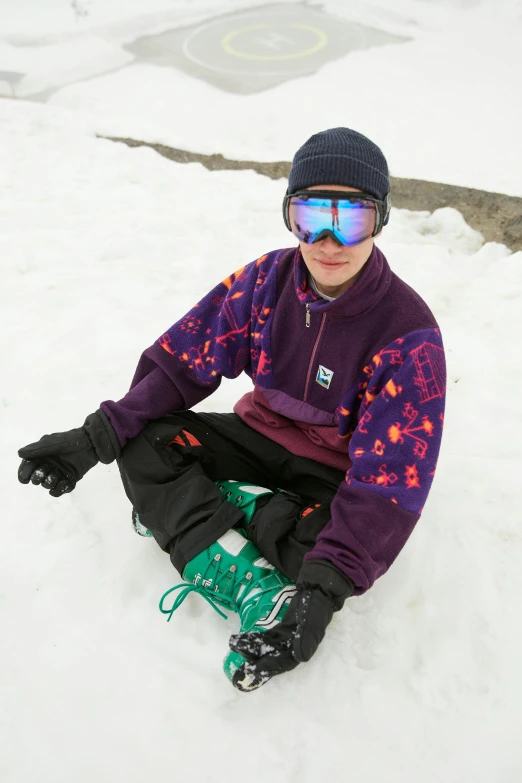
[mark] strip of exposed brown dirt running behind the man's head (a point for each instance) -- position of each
(496, 216)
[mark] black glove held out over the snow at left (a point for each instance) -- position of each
(59, 460)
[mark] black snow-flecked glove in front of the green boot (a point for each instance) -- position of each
(321, 590)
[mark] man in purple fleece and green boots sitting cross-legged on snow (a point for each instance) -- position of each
(307, 493)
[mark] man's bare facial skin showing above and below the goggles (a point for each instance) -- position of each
(335, 267)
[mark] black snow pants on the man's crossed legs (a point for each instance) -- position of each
(169, 472)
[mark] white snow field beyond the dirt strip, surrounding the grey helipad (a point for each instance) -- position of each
(445, 106)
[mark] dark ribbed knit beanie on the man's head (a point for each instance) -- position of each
(340, 156)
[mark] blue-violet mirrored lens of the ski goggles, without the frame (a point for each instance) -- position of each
(349, 221)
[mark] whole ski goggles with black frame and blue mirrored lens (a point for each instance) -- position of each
(349, 218)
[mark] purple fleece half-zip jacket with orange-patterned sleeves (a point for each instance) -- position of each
(357, 384)
